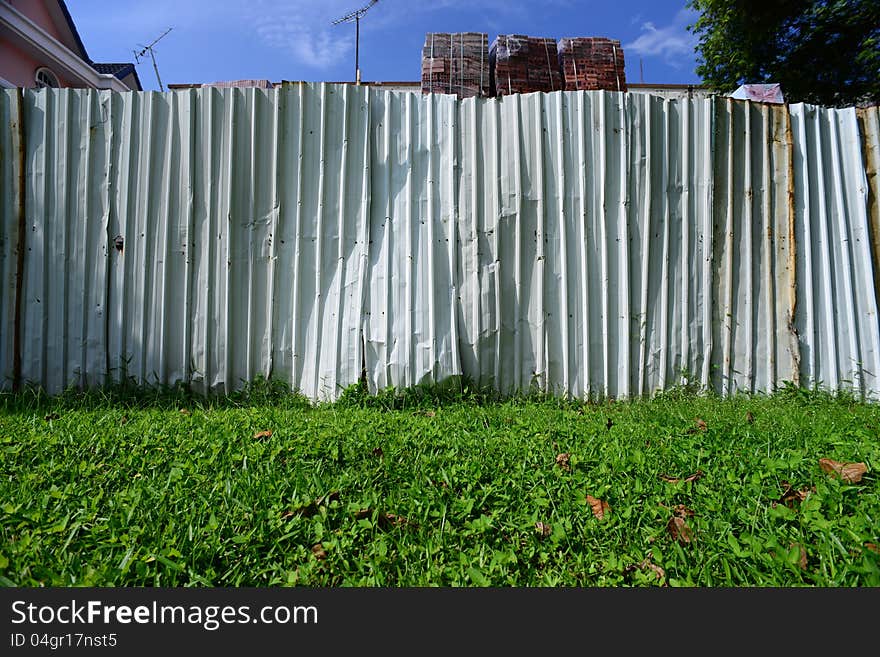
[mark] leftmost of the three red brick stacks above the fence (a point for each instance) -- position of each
(456, 63)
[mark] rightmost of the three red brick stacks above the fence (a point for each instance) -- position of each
(592, 63)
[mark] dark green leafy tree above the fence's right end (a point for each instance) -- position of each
(825, 52)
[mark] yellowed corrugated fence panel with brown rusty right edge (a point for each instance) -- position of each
(754, 343)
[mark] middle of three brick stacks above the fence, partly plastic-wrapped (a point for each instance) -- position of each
(523, 64)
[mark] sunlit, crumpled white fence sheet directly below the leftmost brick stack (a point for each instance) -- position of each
(410, 329)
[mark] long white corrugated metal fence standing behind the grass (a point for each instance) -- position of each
(589, 243)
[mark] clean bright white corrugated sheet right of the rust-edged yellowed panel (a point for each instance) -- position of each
(837, 305)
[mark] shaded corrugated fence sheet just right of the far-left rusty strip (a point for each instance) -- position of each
(64, 309)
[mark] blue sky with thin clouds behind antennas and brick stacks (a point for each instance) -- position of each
(214, 40)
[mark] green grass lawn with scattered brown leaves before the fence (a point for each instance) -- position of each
(435, 489)
